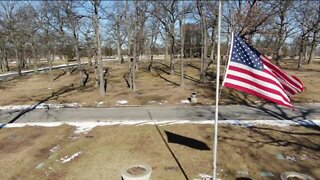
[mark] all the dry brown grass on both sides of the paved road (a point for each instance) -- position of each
(42, 153)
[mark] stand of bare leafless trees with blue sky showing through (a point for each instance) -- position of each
(134, 32)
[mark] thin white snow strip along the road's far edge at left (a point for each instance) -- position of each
(40, 106)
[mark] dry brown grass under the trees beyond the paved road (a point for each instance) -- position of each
(153, 88)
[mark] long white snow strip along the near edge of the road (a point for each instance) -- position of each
(85, 127)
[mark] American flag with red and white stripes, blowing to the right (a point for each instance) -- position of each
(251, 72)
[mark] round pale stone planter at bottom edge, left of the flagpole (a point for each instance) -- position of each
(136, 172)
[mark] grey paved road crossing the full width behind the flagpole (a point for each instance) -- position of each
(193, 113)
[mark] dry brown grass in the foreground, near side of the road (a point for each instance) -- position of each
(39, 152)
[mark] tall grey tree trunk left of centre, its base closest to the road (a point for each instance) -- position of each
(98, 42)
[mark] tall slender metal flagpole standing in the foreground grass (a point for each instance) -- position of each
(217, 99)
